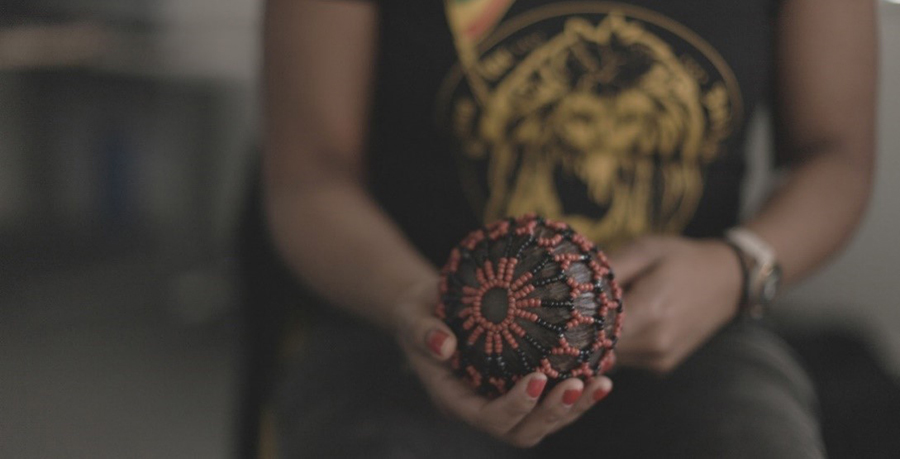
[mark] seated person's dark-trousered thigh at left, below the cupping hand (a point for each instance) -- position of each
(350, 395)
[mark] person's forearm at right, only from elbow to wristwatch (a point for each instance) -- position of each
(815, 211)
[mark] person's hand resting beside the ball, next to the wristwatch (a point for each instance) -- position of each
(678, 293)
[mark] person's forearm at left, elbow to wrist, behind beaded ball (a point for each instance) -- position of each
(346, 249)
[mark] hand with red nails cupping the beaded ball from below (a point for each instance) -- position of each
(516, 417)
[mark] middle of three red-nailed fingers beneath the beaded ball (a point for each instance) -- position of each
(547, 417)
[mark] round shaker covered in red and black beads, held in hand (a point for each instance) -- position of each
(525, 295)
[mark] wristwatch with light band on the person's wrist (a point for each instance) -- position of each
(762, 273)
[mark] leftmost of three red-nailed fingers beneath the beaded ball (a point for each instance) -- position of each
(502, 414)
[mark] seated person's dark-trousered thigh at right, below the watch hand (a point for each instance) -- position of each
(741, 395)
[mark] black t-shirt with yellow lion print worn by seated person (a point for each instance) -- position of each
(620, 118)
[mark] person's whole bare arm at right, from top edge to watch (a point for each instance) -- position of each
(825, 111)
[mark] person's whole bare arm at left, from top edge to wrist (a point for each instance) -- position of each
(319, 61)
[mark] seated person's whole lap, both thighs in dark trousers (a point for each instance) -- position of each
(741, 395)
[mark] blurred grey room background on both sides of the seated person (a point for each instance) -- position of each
(127, 131)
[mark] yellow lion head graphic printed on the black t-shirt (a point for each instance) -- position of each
(602, 125)
